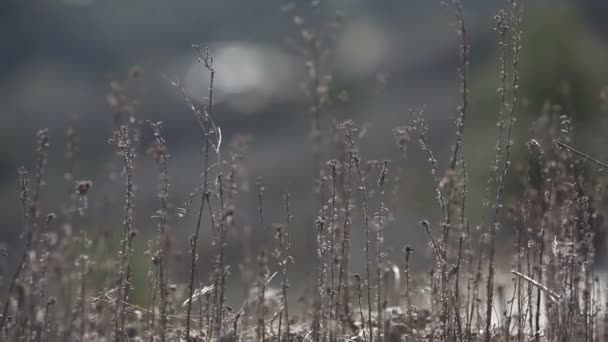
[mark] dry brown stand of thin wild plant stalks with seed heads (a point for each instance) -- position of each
(52, 292)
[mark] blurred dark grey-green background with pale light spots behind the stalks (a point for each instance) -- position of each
(58, 58)
